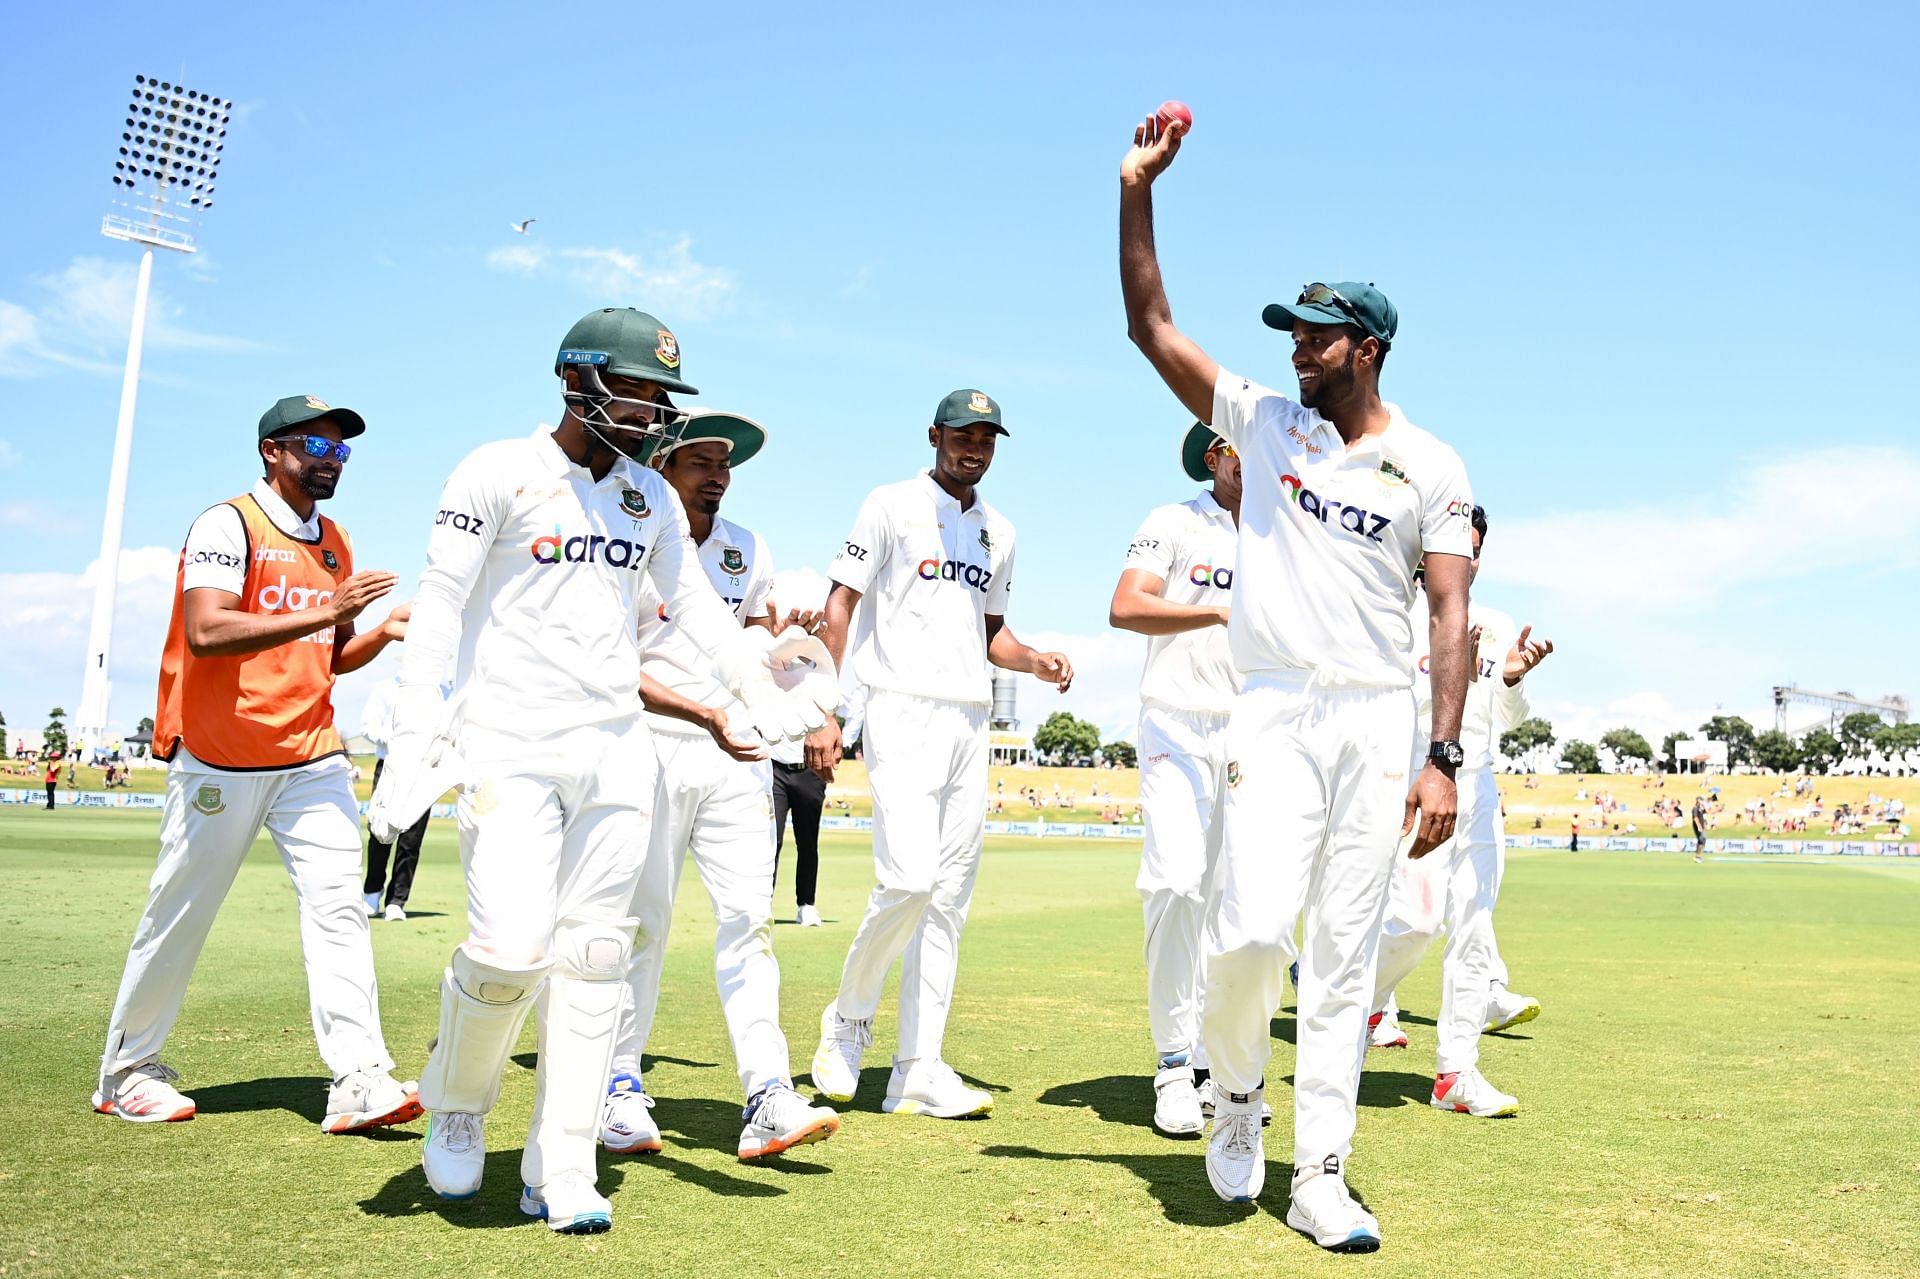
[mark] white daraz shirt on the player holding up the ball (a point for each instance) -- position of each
(1332, 535)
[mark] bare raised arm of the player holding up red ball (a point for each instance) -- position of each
(1180, 362)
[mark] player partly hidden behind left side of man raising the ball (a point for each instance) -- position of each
(1176, 591)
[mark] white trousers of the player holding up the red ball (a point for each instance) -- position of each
(1316, 794)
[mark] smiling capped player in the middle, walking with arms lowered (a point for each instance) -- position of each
(934, 564)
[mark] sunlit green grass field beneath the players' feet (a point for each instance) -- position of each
(1721, 1086)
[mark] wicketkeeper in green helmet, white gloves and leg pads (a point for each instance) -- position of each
(533, 589)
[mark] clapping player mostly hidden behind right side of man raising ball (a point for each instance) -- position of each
(1458, 884)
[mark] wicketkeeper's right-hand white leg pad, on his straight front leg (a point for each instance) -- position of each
(579, 1023)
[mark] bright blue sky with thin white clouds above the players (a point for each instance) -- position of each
(1654, 266)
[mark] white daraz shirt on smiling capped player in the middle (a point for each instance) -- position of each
(930, 575)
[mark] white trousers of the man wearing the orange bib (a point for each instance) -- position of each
(208, 823)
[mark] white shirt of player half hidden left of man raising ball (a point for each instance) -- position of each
(1189, 546)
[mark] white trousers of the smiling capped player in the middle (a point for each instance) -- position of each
(928, 767)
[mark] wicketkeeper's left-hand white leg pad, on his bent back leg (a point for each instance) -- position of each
(483, 1005)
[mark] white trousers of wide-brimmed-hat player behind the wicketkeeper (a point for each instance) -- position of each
(721, 811)
